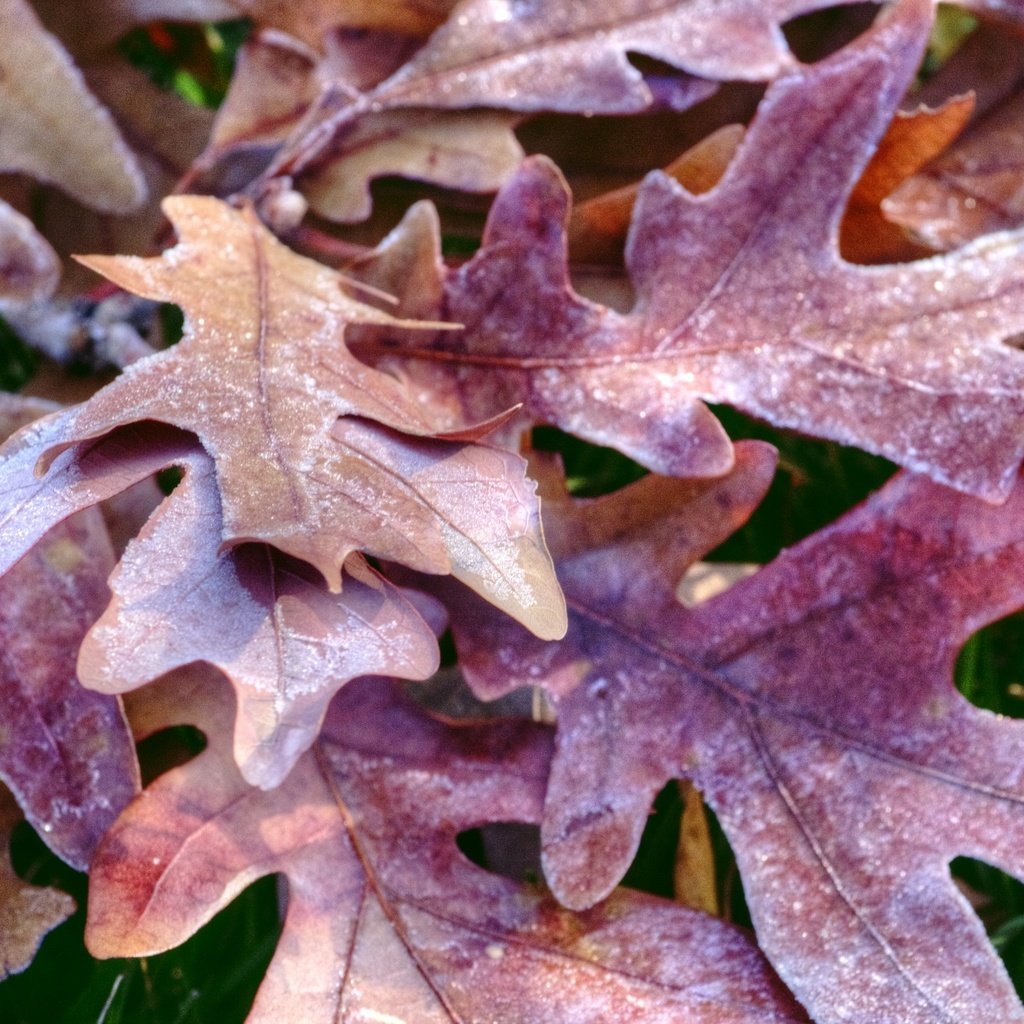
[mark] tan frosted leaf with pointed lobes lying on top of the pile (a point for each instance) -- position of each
(317, 454)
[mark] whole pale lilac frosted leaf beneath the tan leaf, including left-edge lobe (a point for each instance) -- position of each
(284, 641)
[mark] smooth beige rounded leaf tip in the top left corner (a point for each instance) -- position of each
(54, 127)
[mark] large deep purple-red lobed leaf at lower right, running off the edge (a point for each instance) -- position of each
(814, 707)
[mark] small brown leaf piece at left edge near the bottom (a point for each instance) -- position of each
(27, 912)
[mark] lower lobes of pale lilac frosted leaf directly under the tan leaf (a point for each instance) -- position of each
(285, 642)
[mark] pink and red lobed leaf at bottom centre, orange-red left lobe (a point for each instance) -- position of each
(387, 920)
